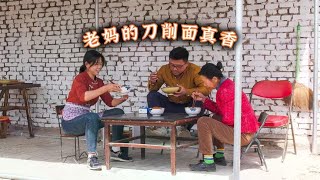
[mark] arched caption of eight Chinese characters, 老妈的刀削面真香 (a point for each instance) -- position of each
(169, 32)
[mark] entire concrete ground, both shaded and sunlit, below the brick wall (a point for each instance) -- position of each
(39, 158)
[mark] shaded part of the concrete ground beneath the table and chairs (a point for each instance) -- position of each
(46, 147)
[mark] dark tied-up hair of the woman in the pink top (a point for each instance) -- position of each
(210, 70)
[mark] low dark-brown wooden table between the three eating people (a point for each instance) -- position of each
(134, 119)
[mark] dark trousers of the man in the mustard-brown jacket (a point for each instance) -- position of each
(155, 98)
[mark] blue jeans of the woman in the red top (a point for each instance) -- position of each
(89, 124)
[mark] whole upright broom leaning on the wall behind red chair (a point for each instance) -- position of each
(302, 96)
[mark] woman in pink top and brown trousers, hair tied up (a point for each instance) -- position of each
(219, 129)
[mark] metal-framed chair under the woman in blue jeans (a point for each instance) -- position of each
(77, 155)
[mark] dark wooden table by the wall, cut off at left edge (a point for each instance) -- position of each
(23, 87)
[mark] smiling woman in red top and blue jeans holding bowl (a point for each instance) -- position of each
(85, 91)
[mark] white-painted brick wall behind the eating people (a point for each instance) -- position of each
(41, 41)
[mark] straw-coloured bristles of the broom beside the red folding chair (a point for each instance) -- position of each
(302, 97)
